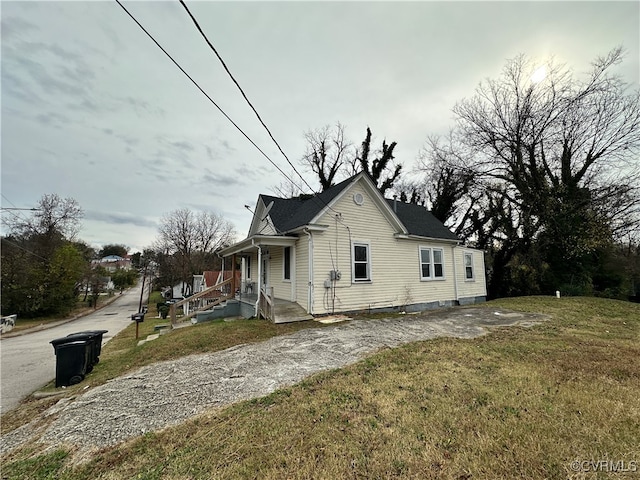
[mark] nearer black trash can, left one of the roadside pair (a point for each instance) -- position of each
(72, 359)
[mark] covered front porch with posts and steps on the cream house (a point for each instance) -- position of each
(268, 285)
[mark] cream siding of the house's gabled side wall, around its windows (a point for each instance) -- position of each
(395, 280)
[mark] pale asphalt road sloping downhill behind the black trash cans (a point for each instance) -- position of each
(28, 361)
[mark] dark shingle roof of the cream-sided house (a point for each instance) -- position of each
(290, 213)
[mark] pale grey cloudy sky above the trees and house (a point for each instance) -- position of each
(93, 110)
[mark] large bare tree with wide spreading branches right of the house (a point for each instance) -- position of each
(560, 153)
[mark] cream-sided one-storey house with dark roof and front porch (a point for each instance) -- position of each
(350, 249)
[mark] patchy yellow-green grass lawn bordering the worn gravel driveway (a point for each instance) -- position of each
(518, 403)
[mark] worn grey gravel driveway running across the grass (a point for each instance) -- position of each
(169, 393)
